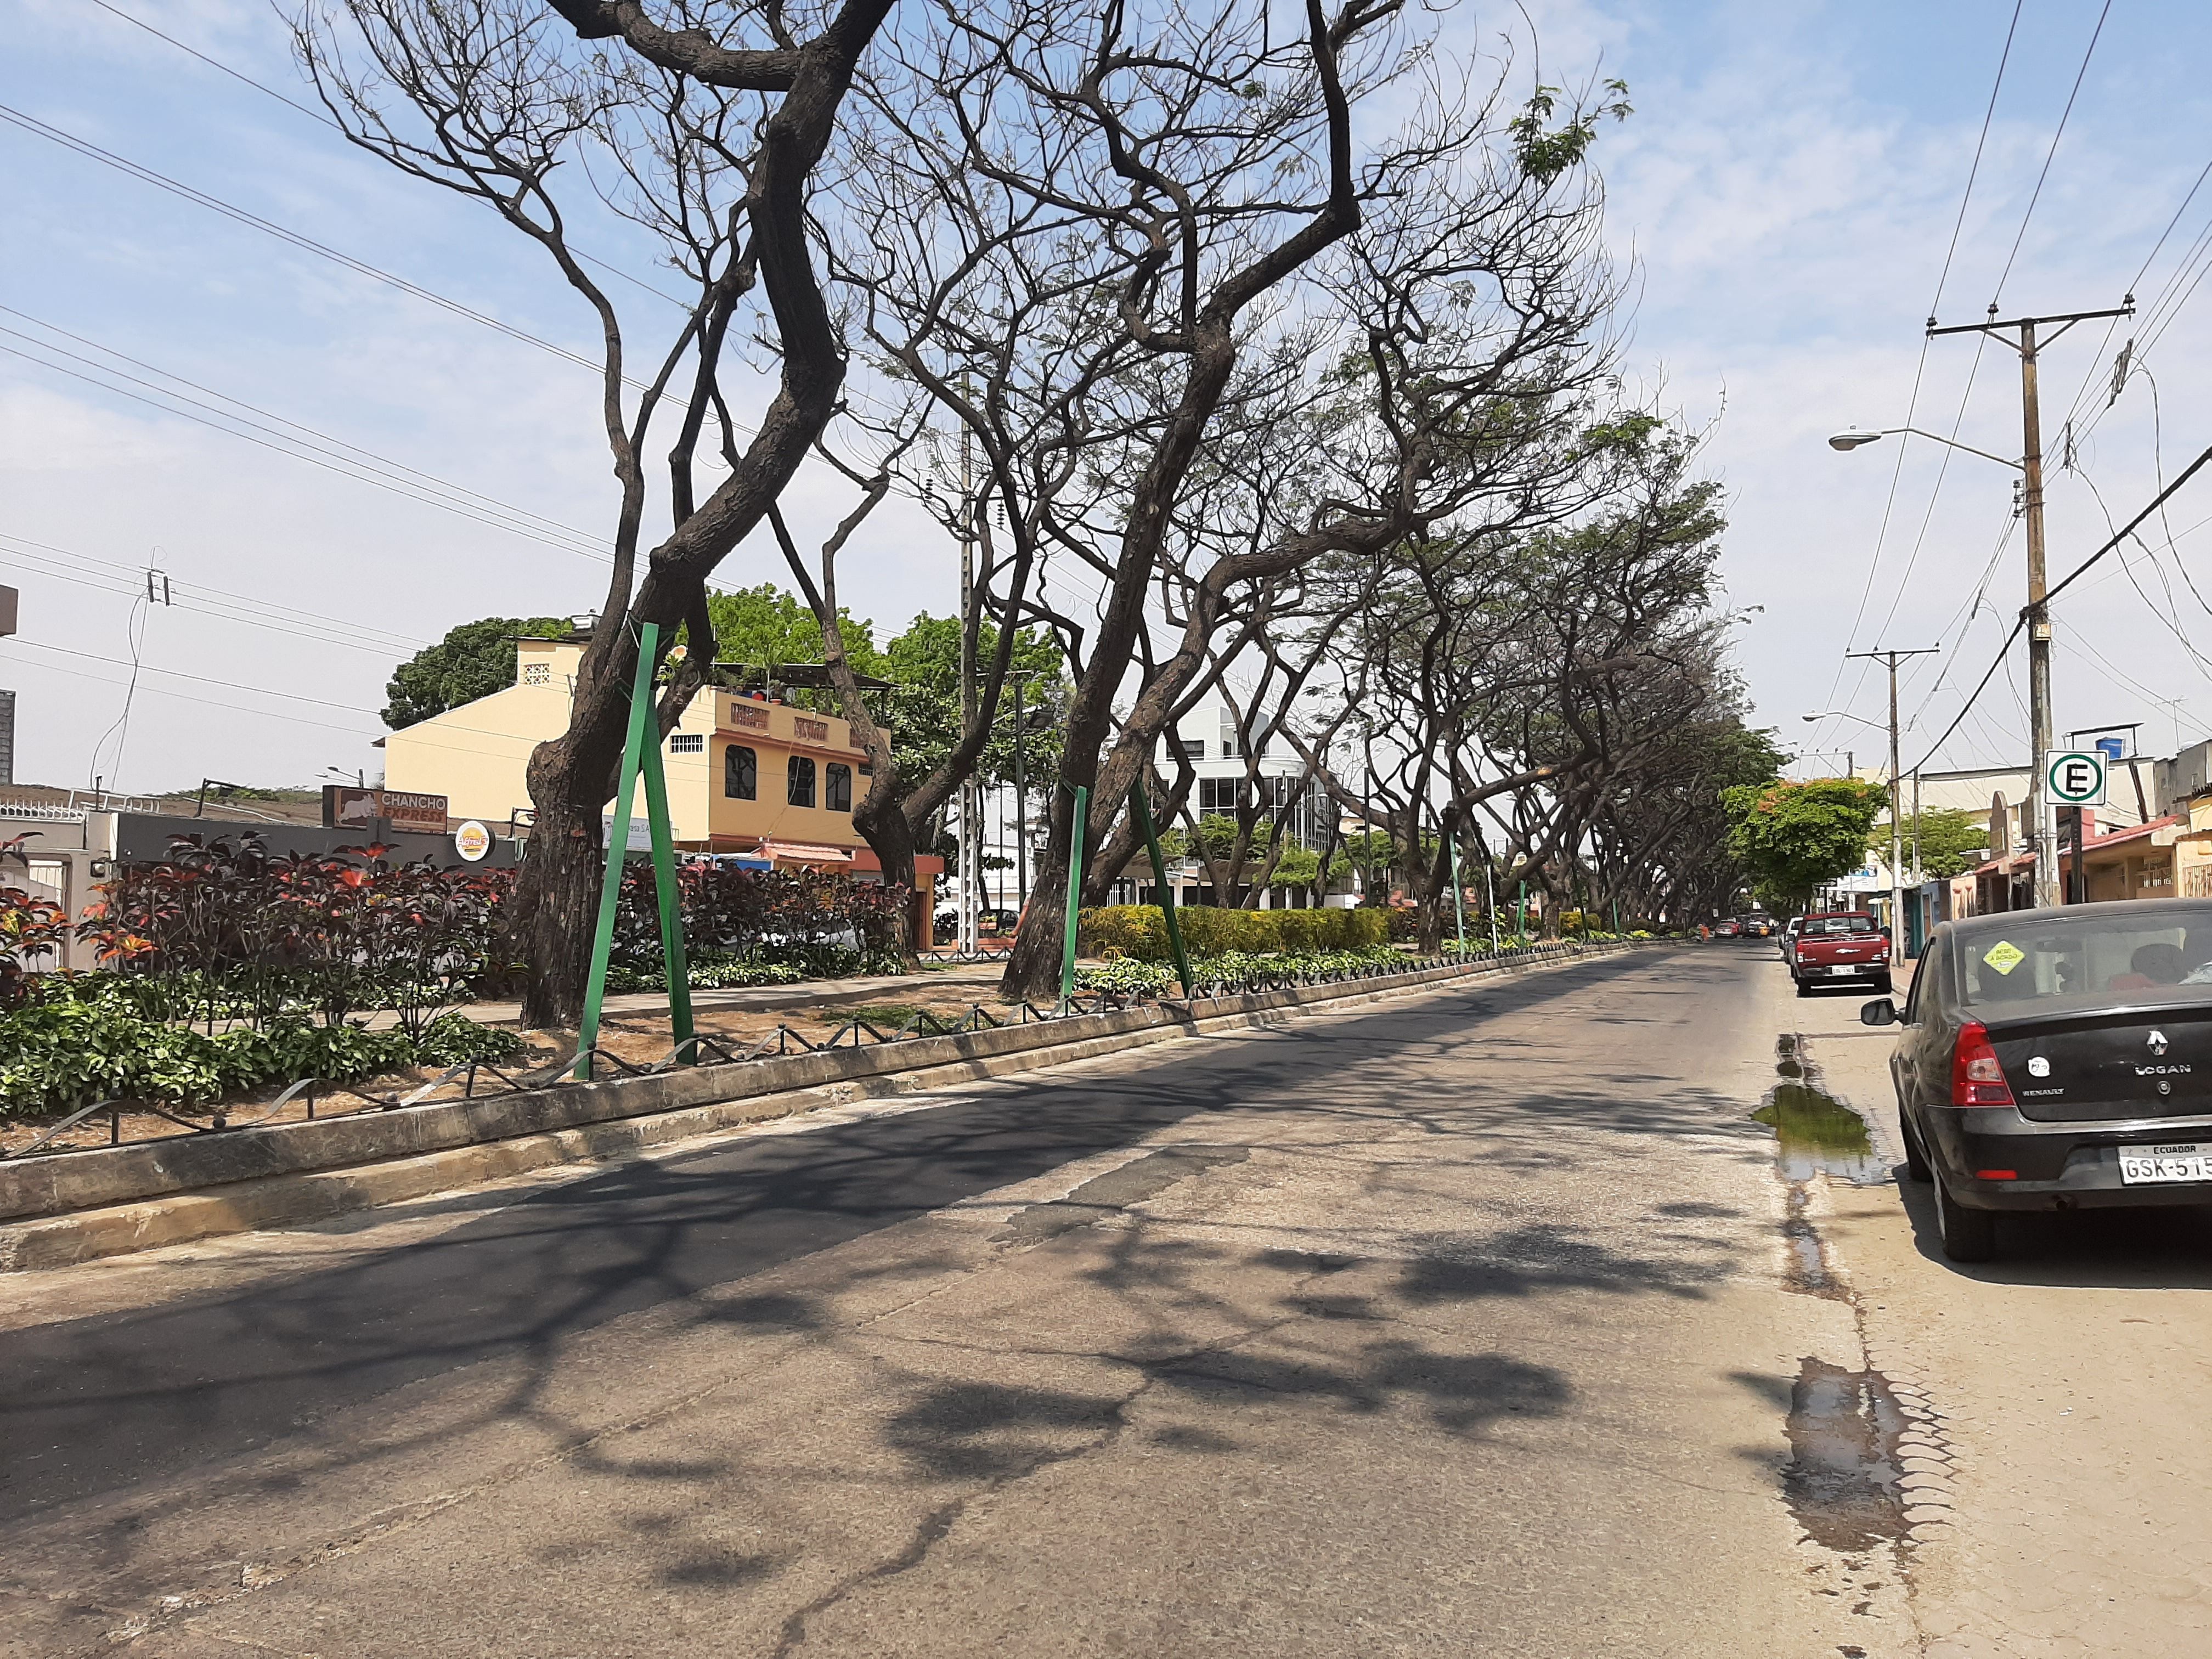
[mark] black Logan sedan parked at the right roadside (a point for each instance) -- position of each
(2058, 1061)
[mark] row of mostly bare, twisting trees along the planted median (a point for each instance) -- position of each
(1233, 342)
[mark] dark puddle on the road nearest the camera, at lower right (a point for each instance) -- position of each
(1844, 1481)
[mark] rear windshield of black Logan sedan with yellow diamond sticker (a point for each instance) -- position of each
(2083, 957)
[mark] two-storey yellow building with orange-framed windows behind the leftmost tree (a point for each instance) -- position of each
(747, 775)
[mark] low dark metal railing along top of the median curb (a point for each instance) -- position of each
(702, 1050)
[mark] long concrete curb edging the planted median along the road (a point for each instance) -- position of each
(140, 1198)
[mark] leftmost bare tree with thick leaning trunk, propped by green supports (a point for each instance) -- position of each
(707, 132)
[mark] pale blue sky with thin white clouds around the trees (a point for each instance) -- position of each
(1784, 202)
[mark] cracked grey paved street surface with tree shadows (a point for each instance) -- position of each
(1472, 1324)
